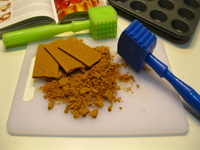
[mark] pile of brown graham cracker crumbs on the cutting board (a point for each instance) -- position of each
(87, 87)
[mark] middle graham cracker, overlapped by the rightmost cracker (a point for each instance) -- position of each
(68, 63)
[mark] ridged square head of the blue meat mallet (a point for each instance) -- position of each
(135, 43)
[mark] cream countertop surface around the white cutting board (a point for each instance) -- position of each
(184, 58)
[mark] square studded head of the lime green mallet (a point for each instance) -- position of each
(103, 21)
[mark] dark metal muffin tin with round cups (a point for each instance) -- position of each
(178, 18)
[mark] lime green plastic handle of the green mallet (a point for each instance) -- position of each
(42, 32)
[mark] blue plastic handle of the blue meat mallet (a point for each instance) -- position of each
(185, 91)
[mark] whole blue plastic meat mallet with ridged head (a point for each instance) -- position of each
(136, 45)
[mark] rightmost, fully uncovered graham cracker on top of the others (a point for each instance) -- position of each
(80, 51)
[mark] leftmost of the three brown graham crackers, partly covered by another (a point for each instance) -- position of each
(45, 66)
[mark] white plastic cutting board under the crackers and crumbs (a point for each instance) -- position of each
(153, 109)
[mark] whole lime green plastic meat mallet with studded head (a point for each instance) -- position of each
(102, 23)
